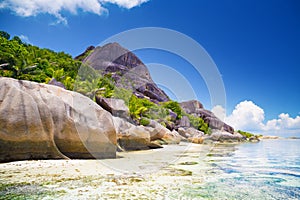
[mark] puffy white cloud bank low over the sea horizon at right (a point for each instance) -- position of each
(250, 117)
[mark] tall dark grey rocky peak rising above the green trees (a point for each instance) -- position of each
(126, 69)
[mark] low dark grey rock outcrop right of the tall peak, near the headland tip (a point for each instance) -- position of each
(195, 108)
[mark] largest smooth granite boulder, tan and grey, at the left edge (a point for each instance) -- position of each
(40, 121)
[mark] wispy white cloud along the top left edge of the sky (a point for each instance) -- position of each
(28, 8)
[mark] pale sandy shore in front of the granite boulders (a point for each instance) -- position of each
(154, 174)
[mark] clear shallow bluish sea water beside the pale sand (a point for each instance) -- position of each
(269, 169)
